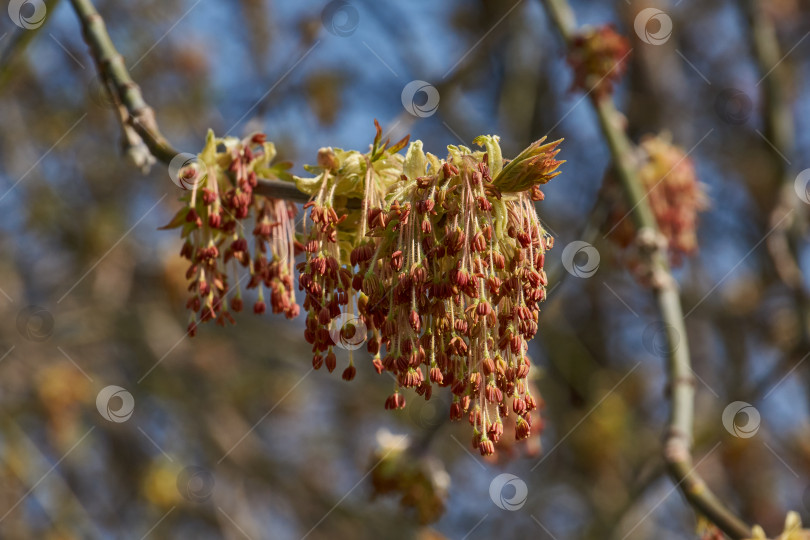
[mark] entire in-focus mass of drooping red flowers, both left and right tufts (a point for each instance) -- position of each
(436, 265)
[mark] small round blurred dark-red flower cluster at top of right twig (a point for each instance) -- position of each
(597, 55)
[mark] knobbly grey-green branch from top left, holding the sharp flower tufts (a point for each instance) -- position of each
(137, 117)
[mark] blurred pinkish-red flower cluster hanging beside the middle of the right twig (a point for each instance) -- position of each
(674, 193)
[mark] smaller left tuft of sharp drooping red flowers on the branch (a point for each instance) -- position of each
(227, 227)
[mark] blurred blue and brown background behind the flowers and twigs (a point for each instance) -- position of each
(232, 435)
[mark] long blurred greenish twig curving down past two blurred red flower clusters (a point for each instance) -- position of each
(678, 439)
